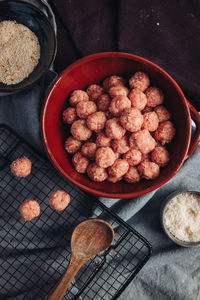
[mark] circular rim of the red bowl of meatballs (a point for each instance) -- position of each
(53, 159)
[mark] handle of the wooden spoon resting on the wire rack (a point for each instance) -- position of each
(74, 265)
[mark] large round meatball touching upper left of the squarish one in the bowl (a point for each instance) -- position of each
(131, 119)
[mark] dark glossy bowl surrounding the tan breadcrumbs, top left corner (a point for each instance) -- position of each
(30, 16)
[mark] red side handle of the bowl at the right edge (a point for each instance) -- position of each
(196, 137)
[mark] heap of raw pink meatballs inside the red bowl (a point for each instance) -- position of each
(119, 130)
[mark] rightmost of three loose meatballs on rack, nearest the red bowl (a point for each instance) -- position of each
(59, 200)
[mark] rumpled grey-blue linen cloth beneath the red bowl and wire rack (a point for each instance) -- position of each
(173, 272)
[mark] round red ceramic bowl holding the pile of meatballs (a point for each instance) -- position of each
(93, 69)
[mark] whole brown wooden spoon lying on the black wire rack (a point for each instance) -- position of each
(88, 239)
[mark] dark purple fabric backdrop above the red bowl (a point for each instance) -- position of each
(165, 32)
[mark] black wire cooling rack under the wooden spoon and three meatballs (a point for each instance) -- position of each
(34, 255)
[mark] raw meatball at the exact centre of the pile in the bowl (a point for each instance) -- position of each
(114, 130)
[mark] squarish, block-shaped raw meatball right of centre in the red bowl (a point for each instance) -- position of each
(144, 141)
